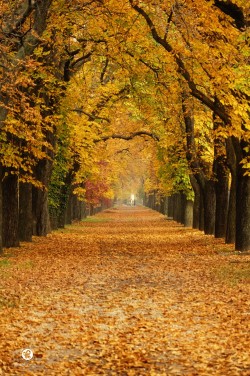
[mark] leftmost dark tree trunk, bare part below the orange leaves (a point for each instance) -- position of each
(10, 210)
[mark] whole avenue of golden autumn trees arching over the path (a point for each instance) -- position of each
(100, 98)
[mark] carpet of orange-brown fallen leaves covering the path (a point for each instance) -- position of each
(126, 292)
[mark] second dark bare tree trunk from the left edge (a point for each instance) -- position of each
(25, 212)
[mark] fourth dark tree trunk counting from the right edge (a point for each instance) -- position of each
(209, 207)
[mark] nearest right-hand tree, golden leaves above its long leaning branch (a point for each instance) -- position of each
(209, 32)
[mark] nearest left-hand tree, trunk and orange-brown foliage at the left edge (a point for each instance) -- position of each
(22, 26)
